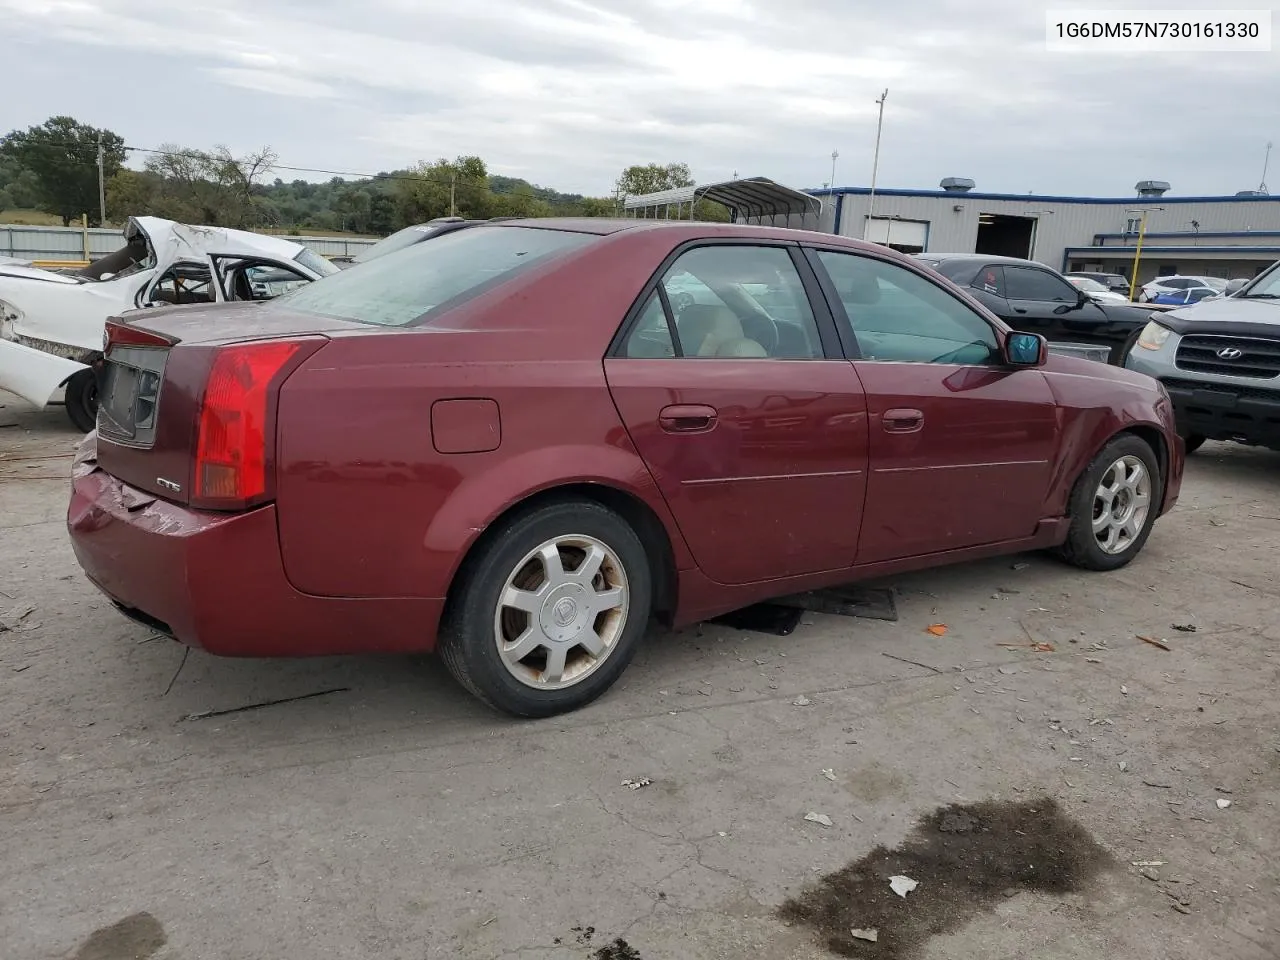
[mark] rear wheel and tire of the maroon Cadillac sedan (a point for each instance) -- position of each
(550, 611)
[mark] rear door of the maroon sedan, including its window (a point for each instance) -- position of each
(749, 419)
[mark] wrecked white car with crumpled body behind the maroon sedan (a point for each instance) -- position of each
(52, 322)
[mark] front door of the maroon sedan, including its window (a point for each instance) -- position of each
(961, 446)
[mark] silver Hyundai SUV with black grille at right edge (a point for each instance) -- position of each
(1220, 363)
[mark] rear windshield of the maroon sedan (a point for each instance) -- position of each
(408, 285)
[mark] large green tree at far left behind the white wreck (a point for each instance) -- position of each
(62, 154)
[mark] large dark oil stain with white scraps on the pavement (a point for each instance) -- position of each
(967, 860)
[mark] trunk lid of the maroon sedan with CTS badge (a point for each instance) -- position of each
(152, 386)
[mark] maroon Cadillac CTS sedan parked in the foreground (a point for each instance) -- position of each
(524, 441)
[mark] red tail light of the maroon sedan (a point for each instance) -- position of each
(234, 445)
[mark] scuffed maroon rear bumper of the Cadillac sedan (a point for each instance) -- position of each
(217, 580)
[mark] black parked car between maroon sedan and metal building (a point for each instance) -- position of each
(1032, 298)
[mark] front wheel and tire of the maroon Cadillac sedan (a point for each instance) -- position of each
(1114, 506)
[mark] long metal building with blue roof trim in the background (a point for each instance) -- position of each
(1227, 237)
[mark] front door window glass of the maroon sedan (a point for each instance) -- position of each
(898, 316)
